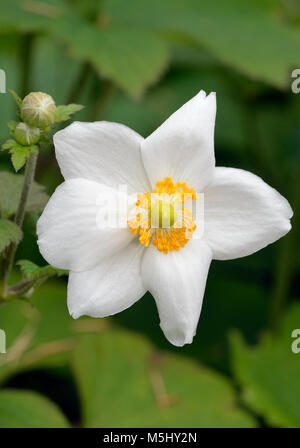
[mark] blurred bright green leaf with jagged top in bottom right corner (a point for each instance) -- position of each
(269, 373)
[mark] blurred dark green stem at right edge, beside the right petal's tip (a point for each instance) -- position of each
(286, 265)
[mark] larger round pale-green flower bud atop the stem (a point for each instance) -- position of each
(38, 110)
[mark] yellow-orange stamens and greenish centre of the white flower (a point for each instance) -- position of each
(161, 217)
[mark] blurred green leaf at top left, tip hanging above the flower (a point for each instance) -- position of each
(134, 57)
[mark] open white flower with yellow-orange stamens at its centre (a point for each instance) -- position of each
(111, 268)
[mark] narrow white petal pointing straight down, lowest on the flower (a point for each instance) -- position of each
(177, 282)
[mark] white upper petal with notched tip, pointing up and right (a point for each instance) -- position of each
(183, 146)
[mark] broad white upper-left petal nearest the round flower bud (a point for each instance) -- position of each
(108, 153)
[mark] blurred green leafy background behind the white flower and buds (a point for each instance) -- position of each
(136, 62)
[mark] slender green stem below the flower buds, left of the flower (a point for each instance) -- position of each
(19, 217)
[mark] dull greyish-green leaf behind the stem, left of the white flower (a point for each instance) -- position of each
(10, 193)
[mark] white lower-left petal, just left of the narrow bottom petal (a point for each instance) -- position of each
(111, 287)
